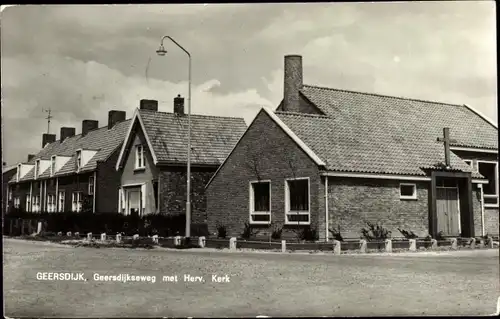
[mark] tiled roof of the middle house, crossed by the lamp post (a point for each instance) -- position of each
(212, 137)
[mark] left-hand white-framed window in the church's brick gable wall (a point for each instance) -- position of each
(260, 202)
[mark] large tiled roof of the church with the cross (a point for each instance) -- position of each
(381, 134)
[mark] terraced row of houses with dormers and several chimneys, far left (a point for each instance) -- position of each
(75, 173)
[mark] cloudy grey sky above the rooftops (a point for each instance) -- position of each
(82, 61)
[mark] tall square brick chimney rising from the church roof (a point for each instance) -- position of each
(292, 83)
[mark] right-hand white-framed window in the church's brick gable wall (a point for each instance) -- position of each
(297, 201)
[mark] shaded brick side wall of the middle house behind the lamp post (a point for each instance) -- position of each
(172, 188)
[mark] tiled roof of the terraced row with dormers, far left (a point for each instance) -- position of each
(104, 140)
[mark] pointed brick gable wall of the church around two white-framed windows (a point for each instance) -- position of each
(265, 152)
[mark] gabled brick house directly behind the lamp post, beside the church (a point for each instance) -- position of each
(153, 159)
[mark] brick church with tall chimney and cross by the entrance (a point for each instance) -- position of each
(335, 159)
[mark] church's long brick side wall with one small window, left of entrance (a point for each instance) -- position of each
(353, 201)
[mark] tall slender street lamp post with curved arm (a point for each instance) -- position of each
(161, 51)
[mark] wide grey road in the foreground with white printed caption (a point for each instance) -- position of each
(459, 283)
